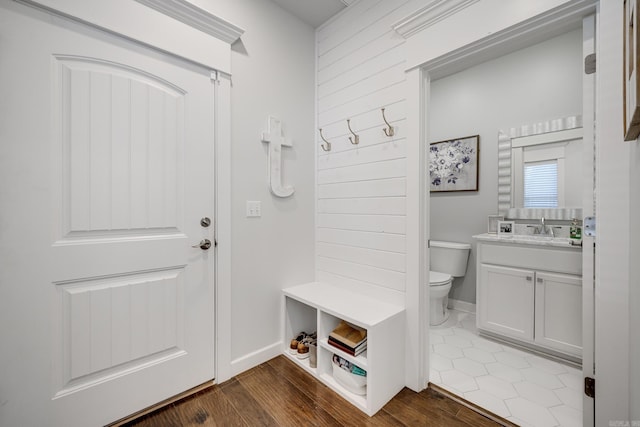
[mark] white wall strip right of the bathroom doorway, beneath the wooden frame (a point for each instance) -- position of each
(618, 236)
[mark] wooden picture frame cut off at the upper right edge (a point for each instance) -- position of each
(631, 80)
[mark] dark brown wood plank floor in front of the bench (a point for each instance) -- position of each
(278, 393)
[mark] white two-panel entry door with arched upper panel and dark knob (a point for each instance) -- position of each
(106, 171)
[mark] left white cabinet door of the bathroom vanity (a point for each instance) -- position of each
(506, 301)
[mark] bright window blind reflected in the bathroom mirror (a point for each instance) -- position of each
(541, 184)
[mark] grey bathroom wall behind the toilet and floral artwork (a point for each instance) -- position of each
(535, 84)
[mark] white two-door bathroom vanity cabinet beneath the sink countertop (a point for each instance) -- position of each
(530, 294)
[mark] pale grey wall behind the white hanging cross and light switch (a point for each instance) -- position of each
(272, 73)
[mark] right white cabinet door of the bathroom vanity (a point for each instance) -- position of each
(559, 312)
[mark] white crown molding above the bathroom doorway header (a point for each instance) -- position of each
(433, 12)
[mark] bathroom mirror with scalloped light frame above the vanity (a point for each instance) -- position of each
(540, 170)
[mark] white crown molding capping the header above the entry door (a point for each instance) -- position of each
(196, 17)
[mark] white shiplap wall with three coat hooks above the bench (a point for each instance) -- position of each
(361, 190)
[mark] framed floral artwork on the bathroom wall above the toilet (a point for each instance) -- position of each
(453, 164)
